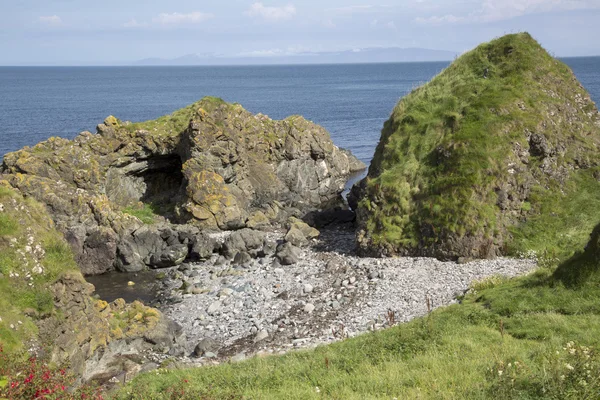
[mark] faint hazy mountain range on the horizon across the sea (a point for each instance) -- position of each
(369, 55)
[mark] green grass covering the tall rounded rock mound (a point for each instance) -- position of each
(448, 144)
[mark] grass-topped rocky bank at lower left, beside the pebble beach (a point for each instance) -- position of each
(45, 302)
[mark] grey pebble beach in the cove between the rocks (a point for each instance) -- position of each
(229, 312)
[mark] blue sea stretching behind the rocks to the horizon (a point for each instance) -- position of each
(350, 101)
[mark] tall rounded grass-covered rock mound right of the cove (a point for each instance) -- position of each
(496, 154)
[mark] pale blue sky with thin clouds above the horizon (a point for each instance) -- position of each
(111, 32)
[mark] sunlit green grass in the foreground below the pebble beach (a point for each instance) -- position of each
(530, 337)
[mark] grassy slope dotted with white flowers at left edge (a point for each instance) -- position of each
(24, 225)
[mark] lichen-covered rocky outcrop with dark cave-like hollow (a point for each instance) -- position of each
(211, 165)
